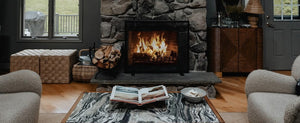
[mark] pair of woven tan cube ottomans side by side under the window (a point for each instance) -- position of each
(54, 66)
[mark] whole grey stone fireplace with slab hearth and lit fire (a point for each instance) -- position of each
(115, 30)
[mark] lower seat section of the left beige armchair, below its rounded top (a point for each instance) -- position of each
(19, 107)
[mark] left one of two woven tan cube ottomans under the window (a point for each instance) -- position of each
(26, 59)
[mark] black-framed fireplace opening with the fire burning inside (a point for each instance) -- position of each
(156, 46)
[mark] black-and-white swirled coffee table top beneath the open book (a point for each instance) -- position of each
(96, 107)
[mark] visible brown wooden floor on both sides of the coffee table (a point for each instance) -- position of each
(58, 98)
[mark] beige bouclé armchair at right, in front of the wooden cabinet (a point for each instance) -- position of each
(272, 96)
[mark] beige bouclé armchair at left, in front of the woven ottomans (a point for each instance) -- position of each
(20, 94)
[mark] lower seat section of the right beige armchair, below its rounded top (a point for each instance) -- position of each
(268, 107)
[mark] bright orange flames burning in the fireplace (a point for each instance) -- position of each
(154, 46)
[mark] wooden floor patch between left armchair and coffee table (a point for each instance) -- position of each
(59, 98)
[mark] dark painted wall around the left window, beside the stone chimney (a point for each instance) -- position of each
(9, 19)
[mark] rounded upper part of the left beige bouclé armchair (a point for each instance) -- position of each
(21, 81)
